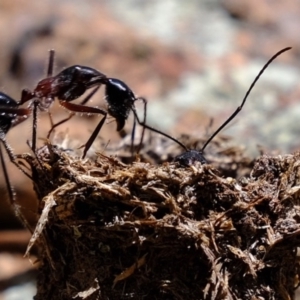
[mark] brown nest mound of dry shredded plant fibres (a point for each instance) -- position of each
(109, 230)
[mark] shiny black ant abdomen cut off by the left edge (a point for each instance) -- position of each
(6, 118)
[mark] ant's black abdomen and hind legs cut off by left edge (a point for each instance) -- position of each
(11, 115)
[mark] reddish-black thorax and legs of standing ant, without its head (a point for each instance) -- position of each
(68, 85)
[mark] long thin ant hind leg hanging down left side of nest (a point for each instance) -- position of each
(12, 194)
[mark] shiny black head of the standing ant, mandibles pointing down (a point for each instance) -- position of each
(120, 100)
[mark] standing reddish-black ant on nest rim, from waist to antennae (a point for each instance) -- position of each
(73, 82)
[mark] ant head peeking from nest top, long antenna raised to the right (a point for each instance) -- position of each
(191, 156)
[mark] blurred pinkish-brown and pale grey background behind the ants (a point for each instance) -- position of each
(192, 60)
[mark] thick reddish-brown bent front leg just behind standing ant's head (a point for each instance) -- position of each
(88, 110)
